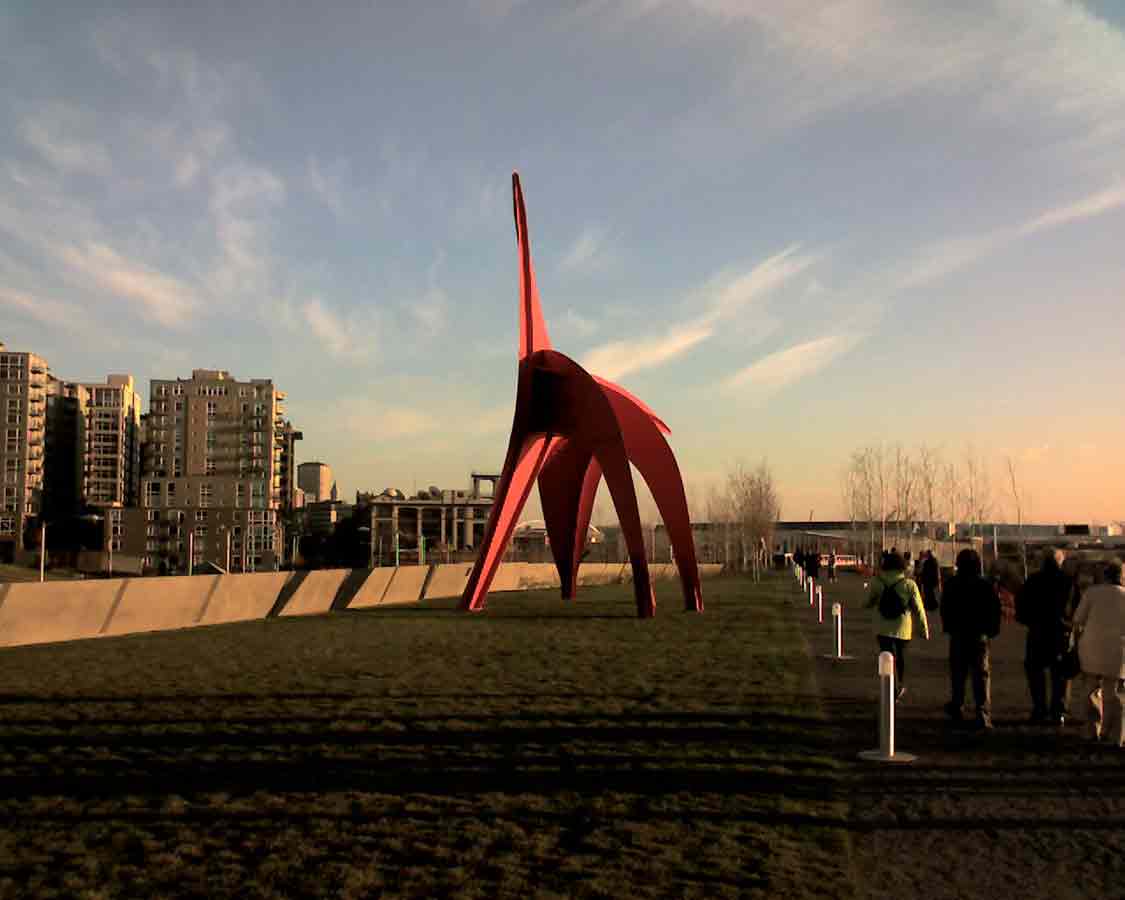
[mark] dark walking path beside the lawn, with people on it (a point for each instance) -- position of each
(1023, 812)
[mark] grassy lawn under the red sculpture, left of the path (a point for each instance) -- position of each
(535, 751)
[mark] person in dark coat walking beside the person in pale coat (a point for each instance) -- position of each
(1046, 605)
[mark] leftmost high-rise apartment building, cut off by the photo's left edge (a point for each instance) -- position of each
(23, 398)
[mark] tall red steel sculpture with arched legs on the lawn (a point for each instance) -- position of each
(572, 429)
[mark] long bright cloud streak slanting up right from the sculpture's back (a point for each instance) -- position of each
(723, 298)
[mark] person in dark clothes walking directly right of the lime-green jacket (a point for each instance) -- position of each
(971, 618)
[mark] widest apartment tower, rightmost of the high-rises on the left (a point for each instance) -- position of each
(213, 480)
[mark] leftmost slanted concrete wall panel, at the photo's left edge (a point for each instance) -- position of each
(39, 614)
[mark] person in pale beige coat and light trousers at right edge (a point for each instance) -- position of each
(1101, 625)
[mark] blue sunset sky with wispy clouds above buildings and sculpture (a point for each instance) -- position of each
(791, 229)
